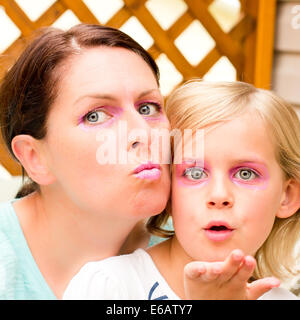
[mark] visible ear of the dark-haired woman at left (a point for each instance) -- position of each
(27, 150)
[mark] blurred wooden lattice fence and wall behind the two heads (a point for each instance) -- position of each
(257, 41)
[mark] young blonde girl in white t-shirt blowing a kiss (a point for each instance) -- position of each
(238, 200)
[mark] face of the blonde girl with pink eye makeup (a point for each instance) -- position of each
(228, 199)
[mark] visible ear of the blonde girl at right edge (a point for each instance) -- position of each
(291, 199)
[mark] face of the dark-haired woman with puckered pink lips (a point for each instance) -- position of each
(107, 90)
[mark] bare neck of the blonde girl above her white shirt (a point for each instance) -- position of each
(170, 259)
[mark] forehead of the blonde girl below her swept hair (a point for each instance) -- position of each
(244, 137)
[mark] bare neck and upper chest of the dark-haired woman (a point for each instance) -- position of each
(63, 238)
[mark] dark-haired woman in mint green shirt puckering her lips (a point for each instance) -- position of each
(65, 89)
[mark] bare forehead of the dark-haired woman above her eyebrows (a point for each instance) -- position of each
(105, 71)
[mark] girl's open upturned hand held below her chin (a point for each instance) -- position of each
(226, 280)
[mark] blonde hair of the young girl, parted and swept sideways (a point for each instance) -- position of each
(198, 104)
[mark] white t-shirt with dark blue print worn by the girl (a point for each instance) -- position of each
(132, 277)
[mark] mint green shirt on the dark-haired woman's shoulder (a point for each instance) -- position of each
(20, 277)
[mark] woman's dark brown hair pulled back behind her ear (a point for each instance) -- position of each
(29, 87)
